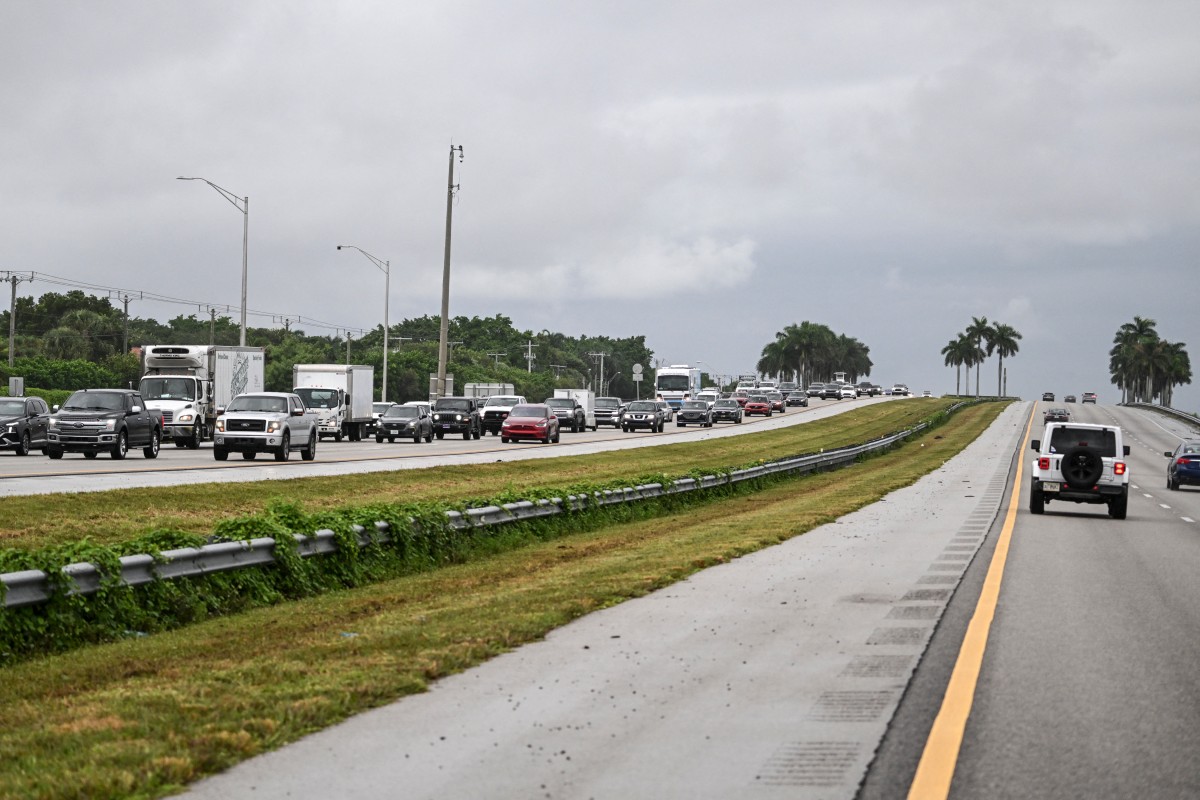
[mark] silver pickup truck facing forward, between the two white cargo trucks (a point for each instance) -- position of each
(266, 423)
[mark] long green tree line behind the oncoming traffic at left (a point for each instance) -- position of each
(76, 341)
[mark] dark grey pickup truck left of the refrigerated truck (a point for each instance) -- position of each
(105, 420)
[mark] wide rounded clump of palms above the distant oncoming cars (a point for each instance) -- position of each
(812, 352)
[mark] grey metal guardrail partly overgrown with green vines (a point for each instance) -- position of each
(34, 587)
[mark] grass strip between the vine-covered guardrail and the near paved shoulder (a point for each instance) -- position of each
(148, 715)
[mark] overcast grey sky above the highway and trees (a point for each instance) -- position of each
(703, 173)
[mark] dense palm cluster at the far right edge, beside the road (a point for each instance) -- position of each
(1147, 368)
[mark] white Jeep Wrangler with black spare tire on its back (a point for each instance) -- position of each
(1082, 464)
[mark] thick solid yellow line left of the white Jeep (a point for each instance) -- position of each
(941, 755)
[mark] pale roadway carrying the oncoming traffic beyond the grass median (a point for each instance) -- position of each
(37, 474)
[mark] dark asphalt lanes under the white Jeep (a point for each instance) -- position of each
(1089, 687)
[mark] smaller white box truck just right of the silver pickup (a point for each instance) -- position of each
(339, 394)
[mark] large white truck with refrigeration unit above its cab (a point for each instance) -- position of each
(188, 383)
